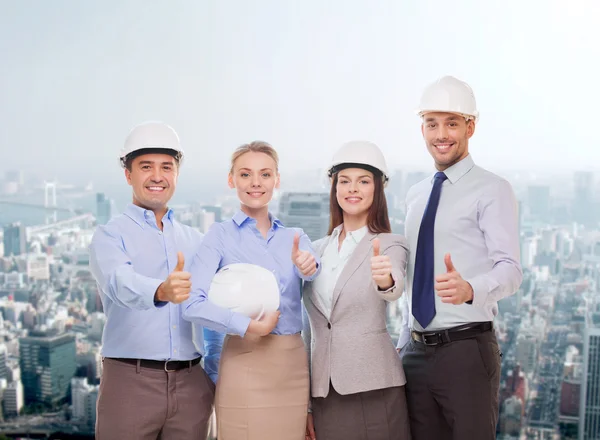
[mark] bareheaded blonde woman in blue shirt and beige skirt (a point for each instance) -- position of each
(263, 381)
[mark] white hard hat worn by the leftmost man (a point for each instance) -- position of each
(151, 135)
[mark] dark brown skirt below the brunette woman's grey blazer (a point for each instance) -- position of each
(371, 415)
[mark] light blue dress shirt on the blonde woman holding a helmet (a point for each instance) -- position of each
(239, 241)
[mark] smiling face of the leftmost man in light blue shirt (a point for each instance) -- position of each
(153, 178)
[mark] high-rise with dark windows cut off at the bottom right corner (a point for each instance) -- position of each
(589, 407)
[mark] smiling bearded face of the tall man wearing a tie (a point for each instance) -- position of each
(447, 137)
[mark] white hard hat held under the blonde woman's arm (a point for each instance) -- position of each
(245, 288)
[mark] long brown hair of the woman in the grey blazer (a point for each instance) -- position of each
(378, 220)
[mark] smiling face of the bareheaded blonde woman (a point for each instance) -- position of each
(254, 175)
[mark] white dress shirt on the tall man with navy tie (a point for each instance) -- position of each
(477, 224)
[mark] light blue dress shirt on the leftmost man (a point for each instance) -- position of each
(129, 258)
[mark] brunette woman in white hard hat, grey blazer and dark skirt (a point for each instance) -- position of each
(357, 380)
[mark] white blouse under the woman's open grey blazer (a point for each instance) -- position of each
(332, 264)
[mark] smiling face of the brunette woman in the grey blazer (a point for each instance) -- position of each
(355, 188)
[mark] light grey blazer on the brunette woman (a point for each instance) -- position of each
(352, 348)
